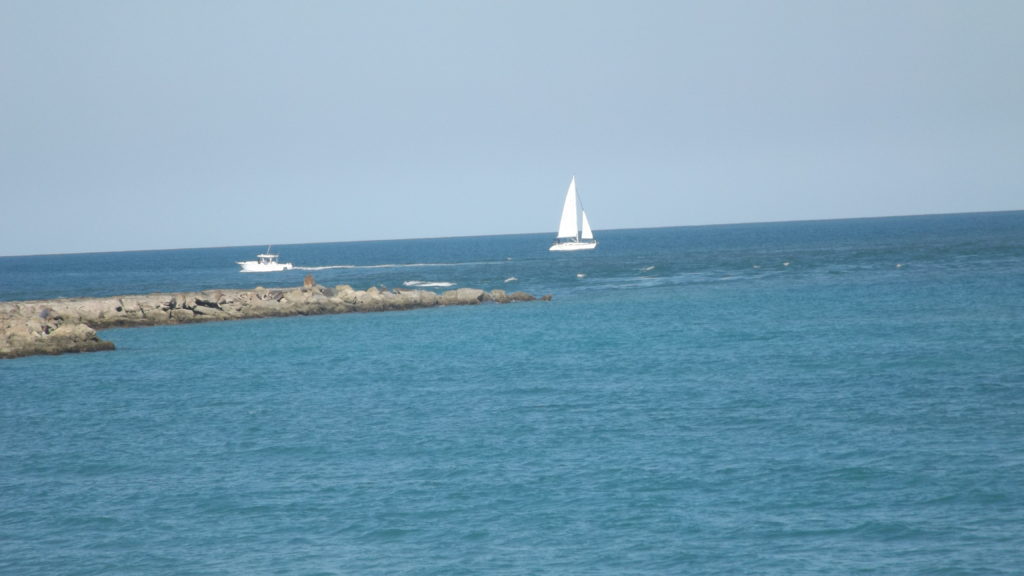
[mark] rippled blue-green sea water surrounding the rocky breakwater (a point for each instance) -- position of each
(806, 398)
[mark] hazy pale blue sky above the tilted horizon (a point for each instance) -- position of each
(129, 126)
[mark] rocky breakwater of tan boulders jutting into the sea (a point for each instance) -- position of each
(69, 325)
